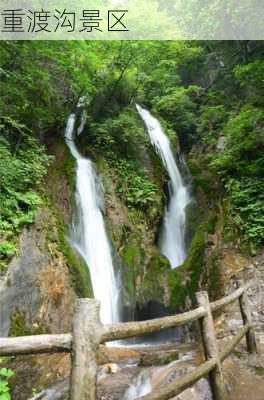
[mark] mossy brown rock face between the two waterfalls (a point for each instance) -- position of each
(138, 262)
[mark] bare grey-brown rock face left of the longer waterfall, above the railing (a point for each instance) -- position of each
(37, 282)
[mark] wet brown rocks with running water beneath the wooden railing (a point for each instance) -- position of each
(128, 383)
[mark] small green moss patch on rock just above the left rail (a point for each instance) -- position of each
(19, 326)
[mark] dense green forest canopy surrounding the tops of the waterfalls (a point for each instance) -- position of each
(205, 92)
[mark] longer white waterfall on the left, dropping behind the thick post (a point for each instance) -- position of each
(88, 232)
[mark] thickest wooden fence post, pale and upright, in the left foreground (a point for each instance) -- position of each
(86, 337)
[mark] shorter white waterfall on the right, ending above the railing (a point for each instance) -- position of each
(173, 230)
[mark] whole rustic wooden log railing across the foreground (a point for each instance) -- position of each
(89, 333)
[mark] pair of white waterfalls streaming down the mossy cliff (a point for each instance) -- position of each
(89, 235)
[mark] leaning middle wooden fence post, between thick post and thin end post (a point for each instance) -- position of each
(211, 348)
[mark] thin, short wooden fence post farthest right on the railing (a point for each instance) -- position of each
(246, 316)
